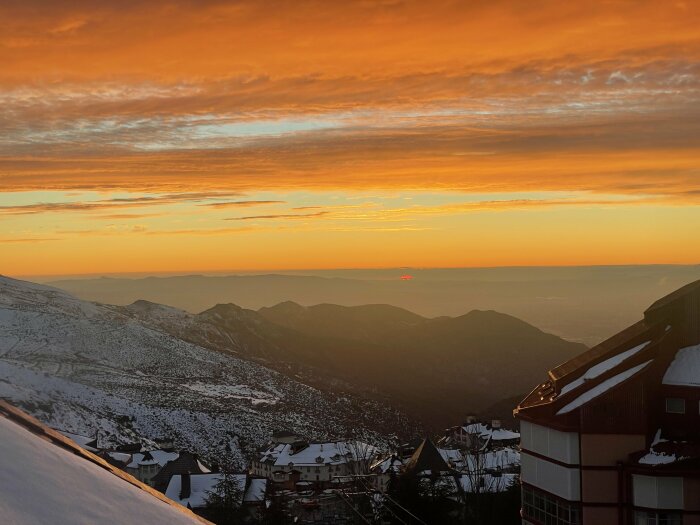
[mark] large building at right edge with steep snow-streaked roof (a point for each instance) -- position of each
(613, 435)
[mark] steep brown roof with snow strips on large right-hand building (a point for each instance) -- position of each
(664, 344)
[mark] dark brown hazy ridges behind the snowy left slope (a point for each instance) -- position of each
(434, 369)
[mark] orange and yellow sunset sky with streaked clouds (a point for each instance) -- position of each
(169, 136)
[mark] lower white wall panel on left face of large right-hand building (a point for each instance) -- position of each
(562, 481)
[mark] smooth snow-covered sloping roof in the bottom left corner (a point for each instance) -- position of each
(45, 484)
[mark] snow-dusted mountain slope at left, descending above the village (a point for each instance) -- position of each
(82, 367)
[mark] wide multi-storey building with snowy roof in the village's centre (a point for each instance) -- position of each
(321, 464)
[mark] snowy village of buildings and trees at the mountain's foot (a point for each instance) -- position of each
(470, 469)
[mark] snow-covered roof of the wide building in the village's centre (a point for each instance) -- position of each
(333, 453)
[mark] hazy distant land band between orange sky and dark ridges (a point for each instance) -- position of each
(585, 304)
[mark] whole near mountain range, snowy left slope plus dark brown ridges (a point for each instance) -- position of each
(231, 375)
